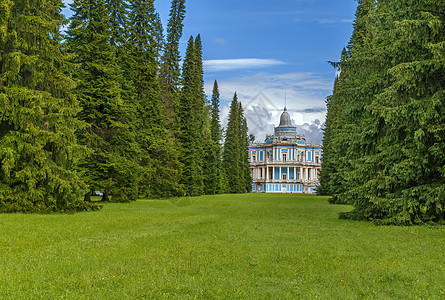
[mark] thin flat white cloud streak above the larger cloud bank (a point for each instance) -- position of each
(240, 63)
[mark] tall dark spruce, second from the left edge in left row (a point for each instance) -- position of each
(111, 165)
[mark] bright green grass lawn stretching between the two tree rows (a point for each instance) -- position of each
(229, 246)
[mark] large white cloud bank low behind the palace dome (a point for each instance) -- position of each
(263, 98)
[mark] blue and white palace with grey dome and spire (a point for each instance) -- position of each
(285, 162)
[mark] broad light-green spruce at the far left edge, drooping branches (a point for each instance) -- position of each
(38, 147)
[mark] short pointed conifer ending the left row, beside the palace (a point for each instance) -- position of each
(236, 152)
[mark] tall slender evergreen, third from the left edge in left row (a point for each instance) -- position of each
(159, 159)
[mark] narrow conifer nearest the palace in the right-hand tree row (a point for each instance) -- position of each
(347, 109)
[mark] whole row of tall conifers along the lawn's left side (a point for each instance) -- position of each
(106, 106)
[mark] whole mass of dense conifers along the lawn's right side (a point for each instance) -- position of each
(384, 142)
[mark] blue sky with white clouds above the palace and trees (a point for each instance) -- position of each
(271, 53)
